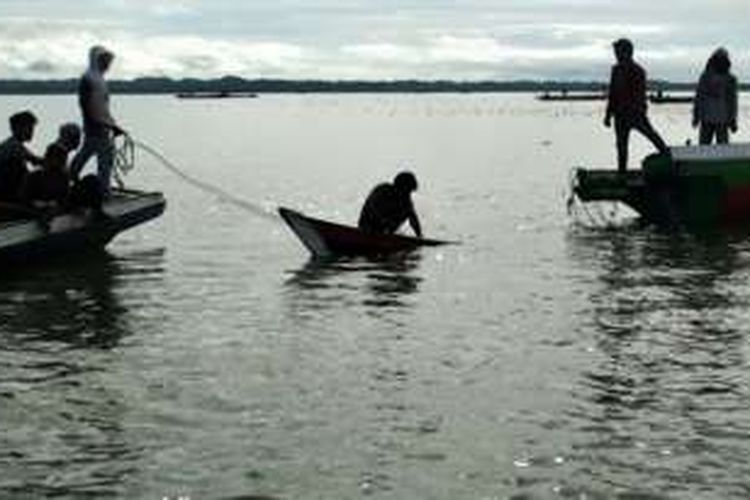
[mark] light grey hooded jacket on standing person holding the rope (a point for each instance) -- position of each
(93, 96)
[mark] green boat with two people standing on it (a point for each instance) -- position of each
(695, 187)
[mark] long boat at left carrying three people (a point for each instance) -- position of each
(28, 240)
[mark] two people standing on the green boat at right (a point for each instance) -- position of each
(714, 105)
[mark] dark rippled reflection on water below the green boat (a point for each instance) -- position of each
(670, 382)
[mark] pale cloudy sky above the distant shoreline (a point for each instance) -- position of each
(370, 39)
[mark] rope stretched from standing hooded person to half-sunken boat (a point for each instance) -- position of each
(125, 160)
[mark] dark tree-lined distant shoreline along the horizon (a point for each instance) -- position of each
(230, 84)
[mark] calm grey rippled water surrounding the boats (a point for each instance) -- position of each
(204, 356)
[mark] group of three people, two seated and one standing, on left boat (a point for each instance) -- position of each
(40, 186)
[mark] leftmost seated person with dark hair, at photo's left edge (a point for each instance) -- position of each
(15, 157)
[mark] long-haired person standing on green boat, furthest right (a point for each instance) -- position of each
(715, 103)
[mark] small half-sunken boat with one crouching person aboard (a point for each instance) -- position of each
(328, 239)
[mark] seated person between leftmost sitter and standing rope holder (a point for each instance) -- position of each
(51, 184)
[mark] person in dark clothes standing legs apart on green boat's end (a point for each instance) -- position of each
(626, 103)
